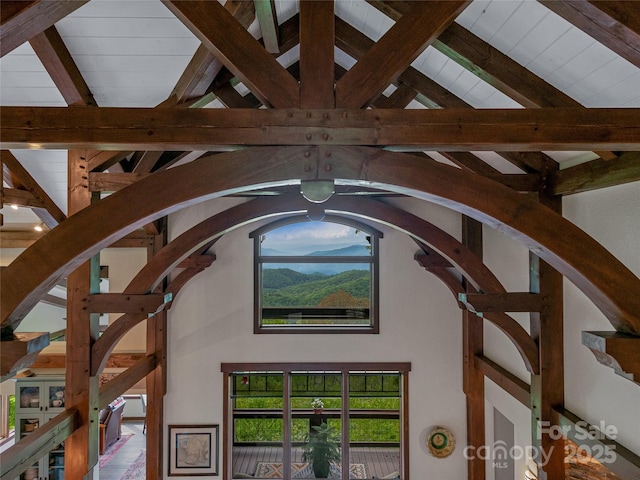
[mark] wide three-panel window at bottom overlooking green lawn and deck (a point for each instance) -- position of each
(282, 419)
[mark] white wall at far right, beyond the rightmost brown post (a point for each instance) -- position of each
(593, 391)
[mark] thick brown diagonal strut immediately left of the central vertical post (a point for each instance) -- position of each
(239, 51)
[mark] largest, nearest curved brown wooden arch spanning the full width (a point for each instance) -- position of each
(593, 269)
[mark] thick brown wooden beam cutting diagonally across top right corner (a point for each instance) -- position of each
(614, 24)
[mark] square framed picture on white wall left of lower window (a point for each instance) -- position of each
(193, 450)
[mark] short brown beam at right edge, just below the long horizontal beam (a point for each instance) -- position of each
(596, 174)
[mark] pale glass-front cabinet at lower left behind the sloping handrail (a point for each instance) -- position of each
(37, 402)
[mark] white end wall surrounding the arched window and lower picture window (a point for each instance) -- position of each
(211, 322)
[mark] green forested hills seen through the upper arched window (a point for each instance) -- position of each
(304, 290)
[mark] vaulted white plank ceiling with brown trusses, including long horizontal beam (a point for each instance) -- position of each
(538, 96)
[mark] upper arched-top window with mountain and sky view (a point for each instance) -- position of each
(313, 276)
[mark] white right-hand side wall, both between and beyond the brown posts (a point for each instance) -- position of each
(592, 391)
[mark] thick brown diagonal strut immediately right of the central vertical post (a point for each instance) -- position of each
(393, 53)
